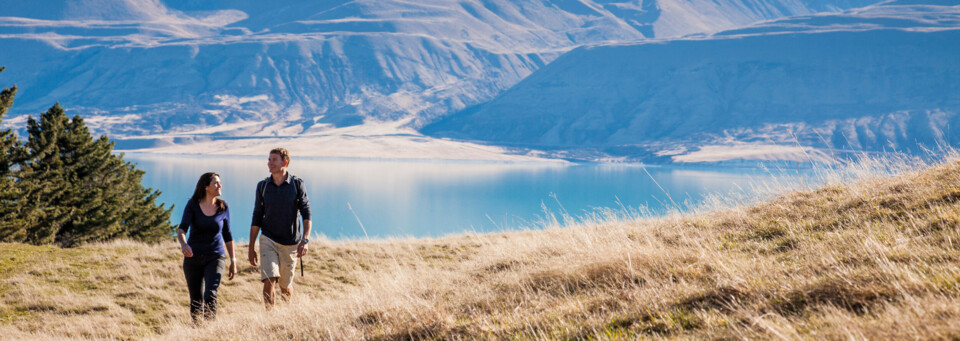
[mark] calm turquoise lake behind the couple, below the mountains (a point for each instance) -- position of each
(379, 199)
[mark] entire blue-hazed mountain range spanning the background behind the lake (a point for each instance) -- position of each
(642, 79)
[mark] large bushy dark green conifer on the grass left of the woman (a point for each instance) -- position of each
(75, 190)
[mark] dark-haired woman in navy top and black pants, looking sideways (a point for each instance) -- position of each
(204, 255)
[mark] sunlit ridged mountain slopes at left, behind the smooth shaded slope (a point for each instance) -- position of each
(142, 67)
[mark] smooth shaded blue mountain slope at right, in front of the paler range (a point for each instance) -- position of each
(885, 77)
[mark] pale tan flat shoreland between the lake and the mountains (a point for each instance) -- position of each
(391, 140)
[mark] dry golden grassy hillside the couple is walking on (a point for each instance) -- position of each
(876, 259)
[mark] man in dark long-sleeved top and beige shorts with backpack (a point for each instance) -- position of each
(279, 198)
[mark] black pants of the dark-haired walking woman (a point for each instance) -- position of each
(203, 273)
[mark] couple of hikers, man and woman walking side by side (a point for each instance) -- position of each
(279, 199)
